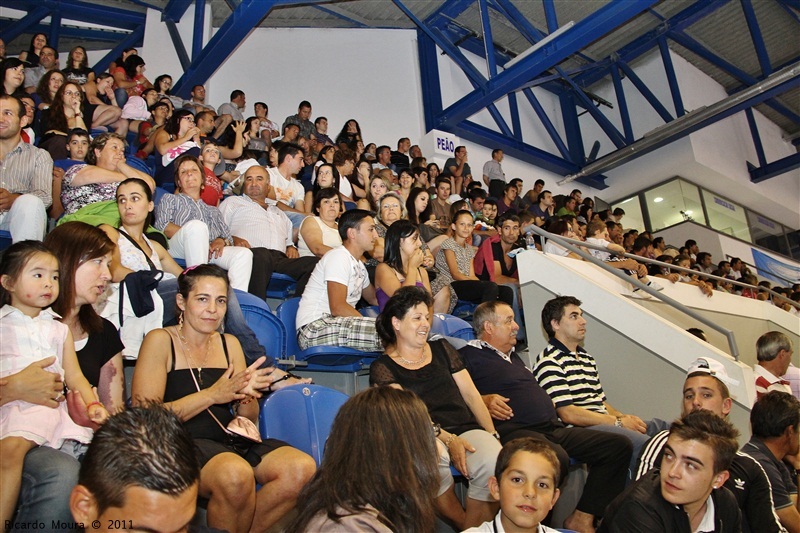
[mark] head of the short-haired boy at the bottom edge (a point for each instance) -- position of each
(526, 491)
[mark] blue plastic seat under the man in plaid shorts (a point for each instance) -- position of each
(319, 358)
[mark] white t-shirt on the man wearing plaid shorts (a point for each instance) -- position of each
(337, 265)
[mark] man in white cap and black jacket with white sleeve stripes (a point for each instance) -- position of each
(706, 387)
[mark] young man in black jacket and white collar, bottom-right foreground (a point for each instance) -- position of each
(686, 494)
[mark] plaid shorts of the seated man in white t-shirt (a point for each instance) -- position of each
(355, 332)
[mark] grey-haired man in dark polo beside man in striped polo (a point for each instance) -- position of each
(521, 408)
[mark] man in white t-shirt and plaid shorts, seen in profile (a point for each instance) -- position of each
(327, 314)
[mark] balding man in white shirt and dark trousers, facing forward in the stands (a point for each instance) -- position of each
(258, 224)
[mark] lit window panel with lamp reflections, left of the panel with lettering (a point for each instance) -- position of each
(674, 202)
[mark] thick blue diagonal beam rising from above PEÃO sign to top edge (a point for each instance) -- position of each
(582, 34)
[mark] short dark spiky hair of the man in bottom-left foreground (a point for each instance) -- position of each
(145, 446)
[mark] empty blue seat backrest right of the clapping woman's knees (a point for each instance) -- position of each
(301, 415)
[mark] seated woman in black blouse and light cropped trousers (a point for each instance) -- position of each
(435, 372)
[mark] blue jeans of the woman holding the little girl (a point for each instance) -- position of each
(48, 477)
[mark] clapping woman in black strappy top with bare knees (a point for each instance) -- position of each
(202, 376)
